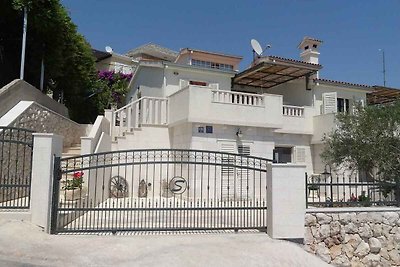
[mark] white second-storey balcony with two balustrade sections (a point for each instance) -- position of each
(197, 104)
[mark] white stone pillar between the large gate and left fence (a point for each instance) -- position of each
(46, 147)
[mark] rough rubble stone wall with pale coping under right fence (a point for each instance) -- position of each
(354, 237)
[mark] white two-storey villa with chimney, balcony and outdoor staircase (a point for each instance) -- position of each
(278, 108)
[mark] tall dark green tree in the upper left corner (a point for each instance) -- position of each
(69, 63)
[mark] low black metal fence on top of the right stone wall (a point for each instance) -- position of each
(349, 187)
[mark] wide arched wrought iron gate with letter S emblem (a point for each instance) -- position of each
(157, 190)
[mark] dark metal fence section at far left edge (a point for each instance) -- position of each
(15, 167)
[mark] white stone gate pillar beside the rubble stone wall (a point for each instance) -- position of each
(286, 204)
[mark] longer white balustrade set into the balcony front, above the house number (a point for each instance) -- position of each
(237, 98)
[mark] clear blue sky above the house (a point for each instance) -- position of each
(352, 31)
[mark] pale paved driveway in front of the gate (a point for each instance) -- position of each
(22, 244)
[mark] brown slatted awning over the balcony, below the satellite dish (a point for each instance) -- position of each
(270, 71)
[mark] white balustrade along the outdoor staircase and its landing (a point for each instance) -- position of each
(144, 111)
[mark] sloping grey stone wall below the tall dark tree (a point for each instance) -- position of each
(43, 120)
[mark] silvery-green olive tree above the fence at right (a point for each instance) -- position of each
(368, 139)
